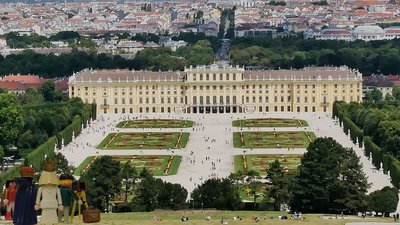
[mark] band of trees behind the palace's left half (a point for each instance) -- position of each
(50, 66)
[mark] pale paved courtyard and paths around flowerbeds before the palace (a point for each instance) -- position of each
(209, 152)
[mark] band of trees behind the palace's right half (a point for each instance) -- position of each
(285, 53)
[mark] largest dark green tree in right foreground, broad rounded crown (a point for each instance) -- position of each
(330, 179)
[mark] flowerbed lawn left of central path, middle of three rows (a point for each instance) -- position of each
(144, 140)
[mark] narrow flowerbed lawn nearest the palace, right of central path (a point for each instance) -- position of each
(269, 122)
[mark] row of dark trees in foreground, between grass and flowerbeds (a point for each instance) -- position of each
(329, 180)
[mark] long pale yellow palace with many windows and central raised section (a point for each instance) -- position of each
(217, 89)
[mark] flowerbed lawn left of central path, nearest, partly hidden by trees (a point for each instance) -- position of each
(156, 164)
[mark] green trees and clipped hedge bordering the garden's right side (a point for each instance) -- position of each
(375, 124)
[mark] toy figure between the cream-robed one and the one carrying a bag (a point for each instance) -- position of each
(68, 196)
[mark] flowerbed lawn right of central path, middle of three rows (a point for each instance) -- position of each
(272, 139)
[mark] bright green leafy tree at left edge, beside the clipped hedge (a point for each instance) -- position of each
(11, 120)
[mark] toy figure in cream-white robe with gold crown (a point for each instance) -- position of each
(49, 196)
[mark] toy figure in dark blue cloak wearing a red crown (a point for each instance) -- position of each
(25, 198)
